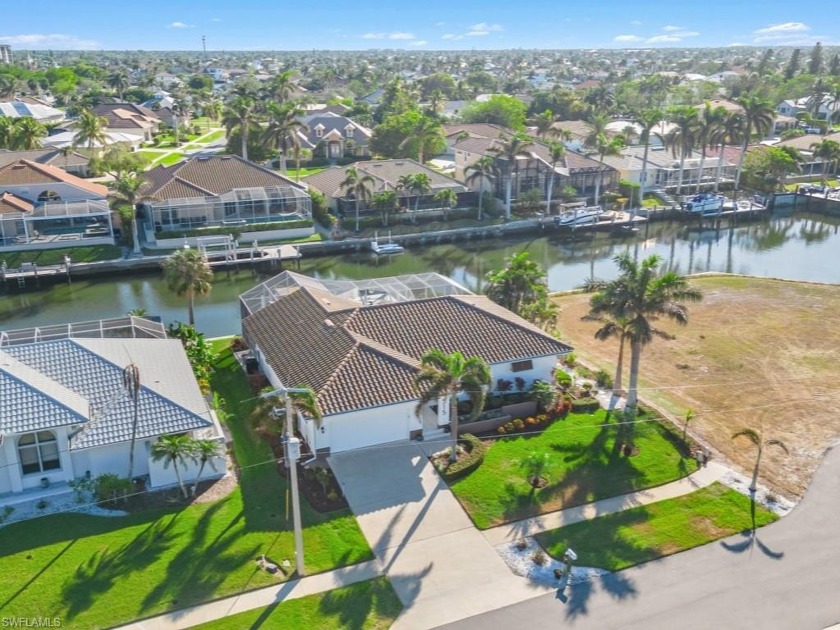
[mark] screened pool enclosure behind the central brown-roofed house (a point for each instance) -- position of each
(364, 292)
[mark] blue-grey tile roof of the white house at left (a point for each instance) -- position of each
(80, 374)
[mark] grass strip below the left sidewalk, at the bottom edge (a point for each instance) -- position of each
(371, 605)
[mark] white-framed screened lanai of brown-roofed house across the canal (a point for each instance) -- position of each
(237, 207)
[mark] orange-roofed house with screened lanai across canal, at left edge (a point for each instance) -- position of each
(44, 206)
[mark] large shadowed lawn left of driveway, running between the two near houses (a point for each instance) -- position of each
(102, 571)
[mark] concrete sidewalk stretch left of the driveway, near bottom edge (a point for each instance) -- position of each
(260, 598)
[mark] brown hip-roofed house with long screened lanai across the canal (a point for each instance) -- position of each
(219, 191)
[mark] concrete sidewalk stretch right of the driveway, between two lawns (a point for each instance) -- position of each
(512, 531)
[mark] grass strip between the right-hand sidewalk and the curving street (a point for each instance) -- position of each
(641, 534)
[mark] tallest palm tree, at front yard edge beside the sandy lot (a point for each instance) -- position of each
(640, 296)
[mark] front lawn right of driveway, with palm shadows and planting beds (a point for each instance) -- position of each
(583, 465)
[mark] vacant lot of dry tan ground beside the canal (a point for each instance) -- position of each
(757, 353)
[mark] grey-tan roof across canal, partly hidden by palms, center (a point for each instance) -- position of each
(386, 173)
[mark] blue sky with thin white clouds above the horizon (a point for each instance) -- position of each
(423, 25)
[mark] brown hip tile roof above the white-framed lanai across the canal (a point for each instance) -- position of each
(214, 175)
